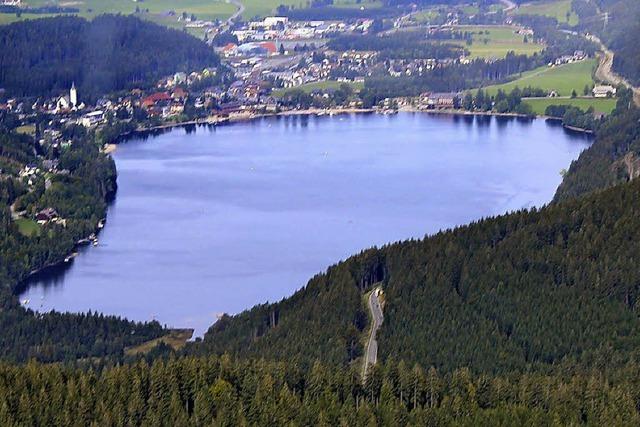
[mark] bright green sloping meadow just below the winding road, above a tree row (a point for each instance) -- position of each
(563, 79)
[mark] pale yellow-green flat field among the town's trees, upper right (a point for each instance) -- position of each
(495, 41)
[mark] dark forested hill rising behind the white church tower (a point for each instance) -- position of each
(111, 52)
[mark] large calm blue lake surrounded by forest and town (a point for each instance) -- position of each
(216, 220)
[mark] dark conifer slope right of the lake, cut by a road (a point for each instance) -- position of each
(528, 290)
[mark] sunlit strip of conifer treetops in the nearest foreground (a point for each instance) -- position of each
(226, 392)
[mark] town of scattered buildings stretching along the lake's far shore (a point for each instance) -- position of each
(277, 65)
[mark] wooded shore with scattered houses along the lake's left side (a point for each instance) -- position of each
(78, 190)
